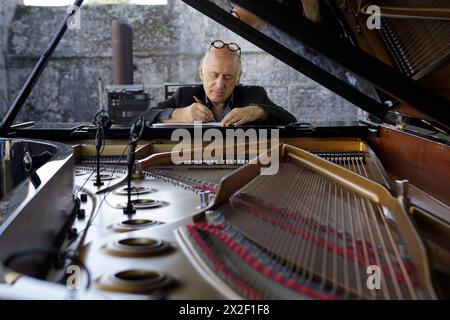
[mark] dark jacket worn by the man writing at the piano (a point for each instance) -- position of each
(242, 96)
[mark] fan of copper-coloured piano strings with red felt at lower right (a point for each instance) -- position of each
(322, 234)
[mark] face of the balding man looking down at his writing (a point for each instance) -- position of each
(220, 73)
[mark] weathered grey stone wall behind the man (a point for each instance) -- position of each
(168, 44)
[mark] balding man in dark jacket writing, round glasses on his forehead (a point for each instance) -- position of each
(221, 98)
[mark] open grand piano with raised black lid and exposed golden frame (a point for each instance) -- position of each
(355, 211)
